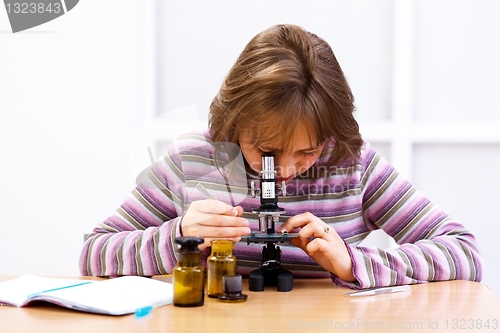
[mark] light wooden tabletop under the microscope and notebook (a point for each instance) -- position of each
(314, 305)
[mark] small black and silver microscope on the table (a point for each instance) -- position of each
(270, 271)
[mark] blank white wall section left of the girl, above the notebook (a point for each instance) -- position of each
(69, 97)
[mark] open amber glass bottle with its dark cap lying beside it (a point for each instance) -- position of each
(221, 262)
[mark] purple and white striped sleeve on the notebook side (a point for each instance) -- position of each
(137, 238)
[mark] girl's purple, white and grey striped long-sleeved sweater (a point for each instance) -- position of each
(138, 238)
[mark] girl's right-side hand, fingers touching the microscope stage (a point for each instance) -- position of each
(322, 243)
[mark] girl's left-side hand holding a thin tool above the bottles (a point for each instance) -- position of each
(212, 219)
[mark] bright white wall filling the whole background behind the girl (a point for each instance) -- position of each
(74, 91)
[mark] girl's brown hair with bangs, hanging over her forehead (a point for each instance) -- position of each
(287, 76)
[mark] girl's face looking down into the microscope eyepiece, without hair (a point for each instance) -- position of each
(288, 163)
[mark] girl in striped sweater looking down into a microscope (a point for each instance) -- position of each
(286, 94)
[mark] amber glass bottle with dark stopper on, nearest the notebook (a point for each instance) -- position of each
(189, 275)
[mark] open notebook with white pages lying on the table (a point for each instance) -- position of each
(117, 296)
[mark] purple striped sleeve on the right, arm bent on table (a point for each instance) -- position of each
(432, 245)
